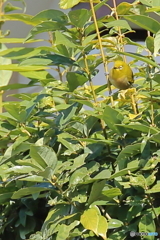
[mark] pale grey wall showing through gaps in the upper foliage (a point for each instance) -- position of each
(19, 29)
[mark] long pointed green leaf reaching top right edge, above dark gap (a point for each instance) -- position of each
(144, 22)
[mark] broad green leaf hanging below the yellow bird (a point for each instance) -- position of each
(111, 118)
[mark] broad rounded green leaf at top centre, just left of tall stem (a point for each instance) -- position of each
(79, 17)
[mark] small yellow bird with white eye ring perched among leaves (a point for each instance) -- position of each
(121, 75)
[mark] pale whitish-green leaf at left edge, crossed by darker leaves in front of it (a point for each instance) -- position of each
(5, 75)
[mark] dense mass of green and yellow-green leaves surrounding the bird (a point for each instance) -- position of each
(75, 163)
